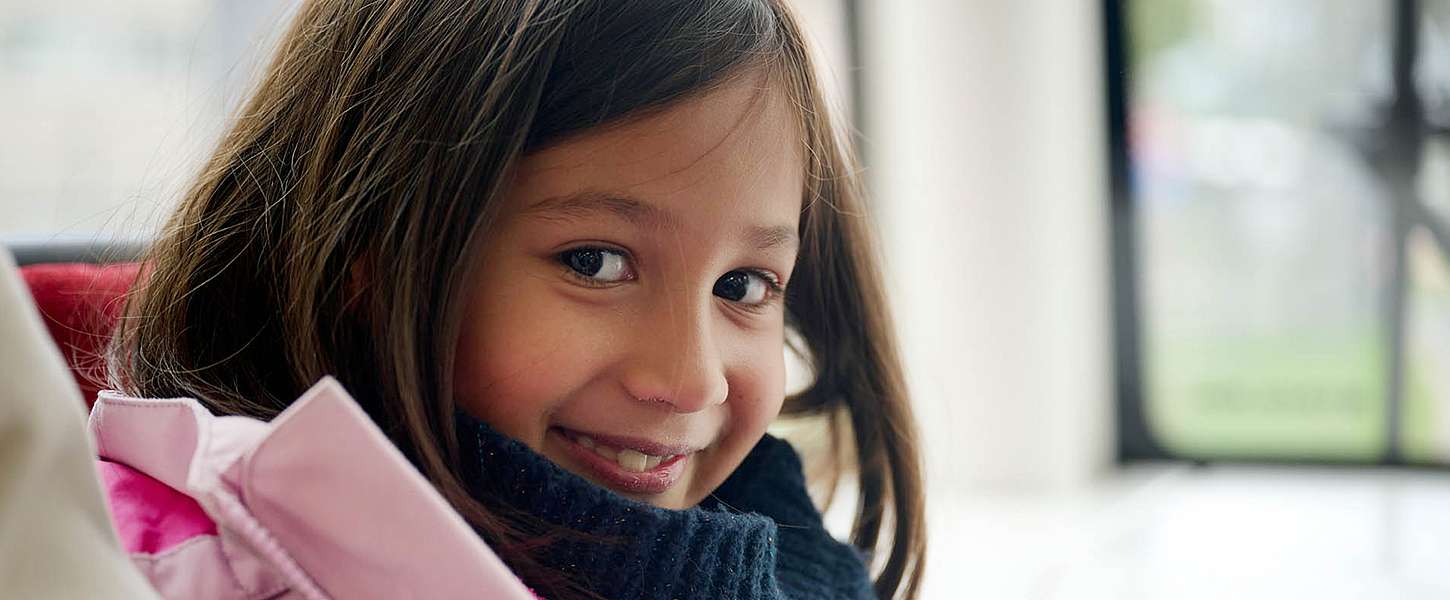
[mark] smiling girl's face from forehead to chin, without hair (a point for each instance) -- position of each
(627, 315)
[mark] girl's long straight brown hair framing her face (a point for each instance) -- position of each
(378, 143)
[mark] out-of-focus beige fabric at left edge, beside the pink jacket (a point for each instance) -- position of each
(56, 534)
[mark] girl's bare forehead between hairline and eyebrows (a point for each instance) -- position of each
(734, 150)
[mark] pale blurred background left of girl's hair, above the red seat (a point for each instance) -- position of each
(108, 109)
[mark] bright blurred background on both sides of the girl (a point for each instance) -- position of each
(1172, 276)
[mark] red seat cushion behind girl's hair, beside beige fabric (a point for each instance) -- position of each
(80, 305)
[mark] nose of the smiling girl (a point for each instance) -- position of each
(675, 360)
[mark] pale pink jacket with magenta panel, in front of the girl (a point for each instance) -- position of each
(315, 505)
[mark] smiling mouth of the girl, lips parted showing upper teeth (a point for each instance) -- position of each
(627, 466)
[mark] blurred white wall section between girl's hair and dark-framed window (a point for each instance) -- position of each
(988, 167)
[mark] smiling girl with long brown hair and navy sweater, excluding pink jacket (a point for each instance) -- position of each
(555, 249)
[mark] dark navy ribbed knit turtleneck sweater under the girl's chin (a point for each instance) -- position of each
(759, 537)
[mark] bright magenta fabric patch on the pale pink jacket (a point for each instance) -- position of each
(150, 517)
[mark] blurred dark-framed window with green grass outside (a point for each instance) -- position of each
(1283, 228)
